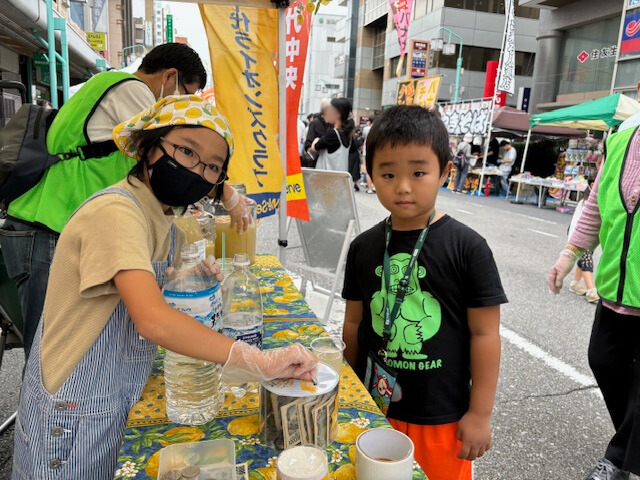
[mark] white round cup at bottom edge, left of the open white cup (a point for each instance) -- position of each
(303, 463)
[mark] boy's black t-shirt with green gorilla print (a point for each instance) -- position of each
(430, 339)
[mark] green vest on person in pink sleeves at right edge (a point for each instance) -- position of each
(618, 274)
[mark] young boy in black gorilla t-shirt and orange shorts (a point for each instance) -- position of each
(443, 339)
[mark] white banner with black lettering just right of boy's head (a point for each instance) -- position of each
(466, 117)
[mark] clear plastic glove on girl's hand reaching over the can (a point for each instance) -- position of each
(247, 363)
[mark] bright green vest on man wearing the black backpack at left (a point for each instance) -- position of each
(68, 183)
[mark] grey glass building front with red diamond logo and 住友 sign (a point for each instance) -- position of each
(577, 50)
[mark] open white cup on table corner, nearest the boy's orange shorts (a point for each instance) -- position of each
(384, 453)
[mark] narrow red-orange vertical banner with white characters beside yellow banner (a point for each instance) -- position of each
(297, 42)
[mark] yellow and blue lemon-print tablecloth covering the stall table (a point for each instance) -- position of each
(287, 318)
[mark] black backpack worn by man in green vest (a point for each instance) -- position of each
(24, 157)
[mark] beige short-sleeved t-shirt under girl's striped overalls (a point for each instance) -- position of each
(109, 234)
